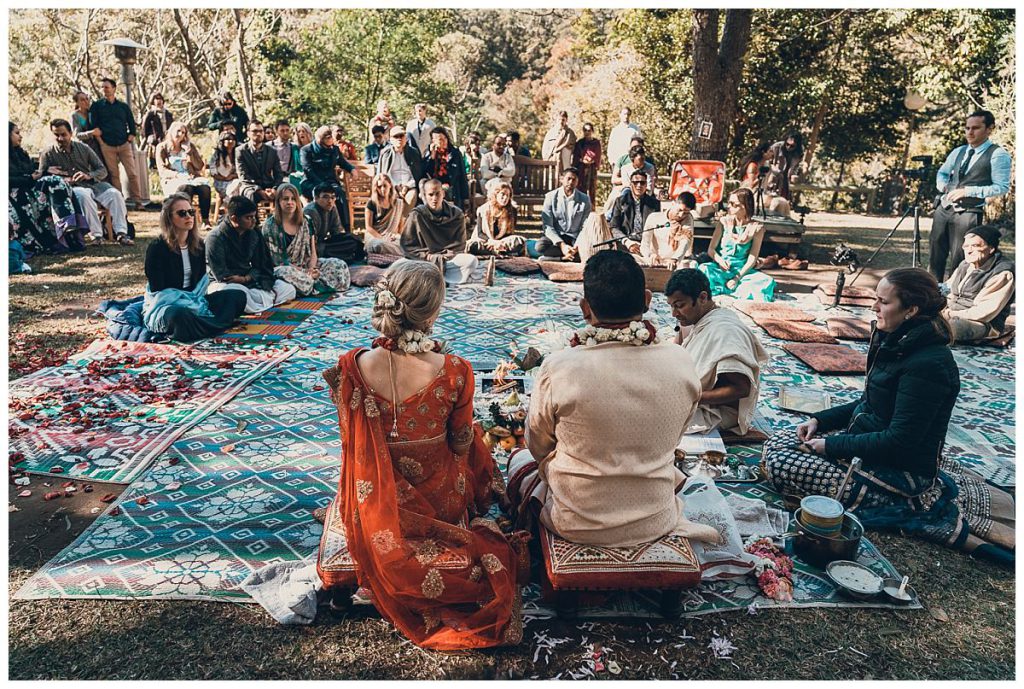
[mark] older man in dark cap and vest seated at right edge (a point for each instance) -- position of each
(982, 288)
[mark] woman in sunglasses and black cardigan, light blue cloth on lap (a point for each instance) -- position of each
(177, 303)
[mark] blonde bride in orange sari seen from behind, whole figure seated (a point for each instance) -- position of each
(416, 480)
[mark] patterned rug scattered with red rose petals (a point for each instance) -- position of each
(115, 407)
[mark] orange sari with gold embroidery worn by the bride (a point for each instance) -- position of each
(442, 575)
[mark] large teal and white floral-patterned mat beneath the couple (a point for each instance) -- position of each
(235, 493)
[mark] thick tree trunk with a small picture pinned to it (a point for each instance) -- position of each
(717, 69)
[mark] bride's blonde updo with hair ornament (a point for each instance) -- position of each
(419, 292)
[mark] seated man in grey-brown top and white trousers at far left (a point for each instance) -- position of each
(78, 165)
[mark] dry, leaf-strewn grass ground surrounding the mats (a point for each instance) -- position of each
(965, 633)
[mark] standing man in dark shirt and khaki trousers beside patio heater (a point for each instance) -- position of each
(114, 126)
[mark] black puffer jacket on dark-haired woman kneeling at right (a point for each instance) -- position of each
(901, 421)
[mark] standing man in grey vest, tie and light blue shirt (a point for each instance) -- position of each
(972, 174)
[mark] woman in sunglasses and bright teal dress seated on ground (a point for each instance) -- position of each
(735, 248)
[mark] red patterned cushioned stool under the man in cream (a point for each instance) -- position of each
(667, 564)
